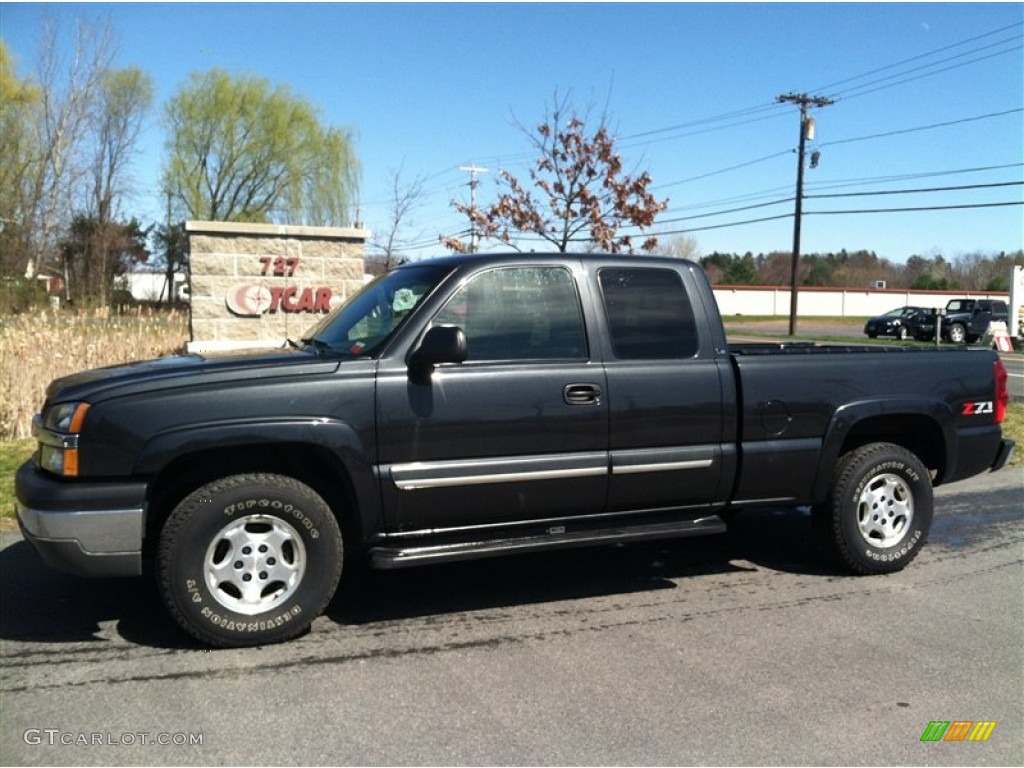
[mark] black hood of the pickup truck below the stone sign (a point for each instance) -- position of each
(186, 370)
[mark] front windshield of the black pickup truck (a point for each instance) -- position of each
(363, 324)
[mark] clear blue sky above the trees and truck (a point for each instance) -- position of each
(428, 89)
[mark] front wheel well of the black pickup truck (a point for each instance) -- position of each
(313, 465)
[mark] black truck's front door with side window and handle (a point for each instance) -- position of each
(519, 433)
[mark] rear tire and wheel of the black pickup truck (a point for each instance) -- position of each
(879, 511)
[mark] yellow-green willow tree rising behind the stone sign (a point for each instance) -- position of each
(239, 150)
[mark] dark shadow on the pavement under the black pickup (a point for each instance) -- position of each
(47, 607)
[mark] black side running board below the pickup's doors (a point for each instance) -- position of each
(399, 558)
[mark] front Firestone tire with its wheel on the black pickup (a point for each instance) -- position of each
(249, 560)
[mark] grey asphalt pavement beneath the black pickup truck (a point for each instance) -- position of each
(743, 650)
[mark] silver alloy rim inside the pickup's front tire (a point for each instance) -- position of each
(254, 564)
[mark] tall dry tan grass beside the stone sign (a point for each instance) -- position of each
(38, 348)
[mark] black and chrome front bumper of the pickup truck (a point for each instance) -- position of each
(89, 529)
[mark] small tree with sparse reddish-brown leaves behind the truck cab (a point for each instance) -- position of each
(583, 194)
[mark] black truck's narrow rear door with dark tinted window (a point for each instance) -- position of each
(665, 396)
